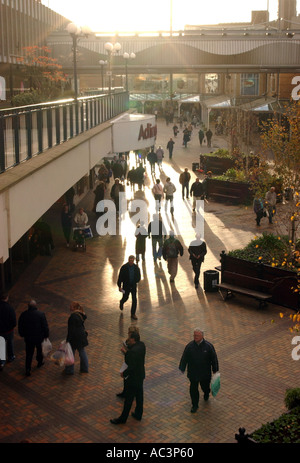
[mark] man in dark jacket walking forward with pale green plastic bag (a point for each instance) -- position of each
(201, 359)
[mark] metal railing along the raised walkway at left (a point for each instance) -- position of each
(30, 130)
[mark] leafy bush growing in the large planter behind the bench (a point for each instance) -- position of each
(268, 249)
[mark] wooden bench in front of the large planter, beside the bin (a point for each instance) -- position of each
(233, 282)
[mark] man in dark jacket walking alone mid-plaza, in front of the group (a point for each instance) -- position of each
(129, 276)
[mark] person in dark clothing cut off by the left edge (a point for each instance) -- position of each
(8, 322)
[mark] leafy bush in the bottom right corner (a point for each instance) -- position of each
(284, 430)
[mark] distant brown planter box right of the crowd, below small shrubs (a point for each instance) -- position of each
(221, 190)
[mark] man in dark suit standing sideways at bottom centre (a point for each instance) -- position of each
(134, 376)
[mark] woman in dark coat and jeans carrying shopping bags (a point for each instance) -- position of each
(77, 337)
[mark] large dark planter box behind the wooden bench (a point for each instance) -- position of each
(284, 280)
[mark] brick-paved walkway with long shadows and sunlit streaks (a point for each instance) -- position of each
(254, 354)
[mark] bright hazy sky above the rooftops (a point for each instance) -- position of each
(154, 15)
